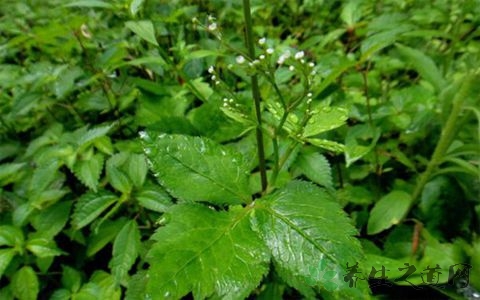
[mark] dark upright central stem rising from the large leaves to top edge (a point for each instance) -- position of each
(256, 94)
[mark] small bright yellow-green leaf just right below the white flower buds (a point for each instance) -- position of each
(325, 118)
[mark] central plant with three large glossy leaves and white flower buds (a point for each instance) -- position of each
(224, 247)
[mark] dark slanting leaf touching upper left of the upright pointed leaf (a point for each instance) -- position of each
(104, 234)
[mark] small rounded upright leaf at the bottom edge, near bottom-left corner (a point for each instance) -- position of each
(25, 284)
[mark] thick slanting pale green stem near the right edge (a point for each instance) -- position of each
(446, 137)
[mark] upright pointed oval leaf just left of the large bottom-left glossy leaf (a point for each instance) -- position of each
(125, 250)
